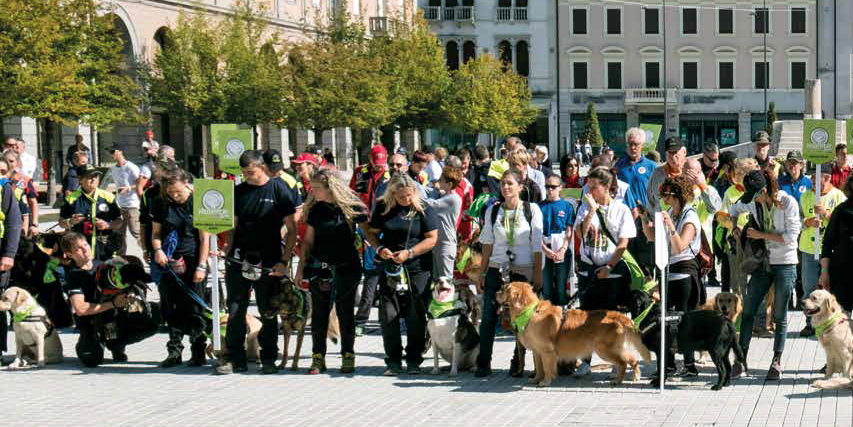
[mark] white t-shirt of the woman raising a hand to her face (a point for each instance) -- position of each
(596, 248)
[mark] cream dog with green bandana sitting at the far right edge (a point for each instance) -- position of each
(833, 331)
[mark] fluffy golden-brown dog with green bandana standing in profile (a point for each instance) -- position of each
(553, 335)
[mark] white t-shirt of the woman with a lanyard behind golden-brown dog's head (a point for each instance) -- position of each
(527, 241)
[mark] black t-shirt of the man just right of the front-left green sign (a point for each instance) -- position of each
(260, 212)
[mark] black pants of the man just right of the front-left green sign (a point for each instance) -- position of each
(238, 303)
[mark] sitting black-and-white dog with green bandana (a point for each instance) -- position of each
(453, 336)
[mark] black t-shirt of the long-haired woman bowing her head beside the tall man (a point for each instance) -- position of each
(334, 239)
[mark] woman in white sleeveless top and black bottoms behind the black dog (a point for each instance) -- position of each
(684, 240)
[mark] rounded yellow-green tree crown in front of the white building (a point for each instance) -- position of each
(483, 98)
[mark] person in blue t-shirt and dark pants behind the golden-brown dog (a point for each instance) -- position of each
(556, 234)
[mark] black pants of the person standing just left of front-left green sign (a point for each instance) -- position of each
(183, 315)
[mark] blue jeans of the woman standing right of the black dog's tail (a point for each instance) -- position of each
(783, 278)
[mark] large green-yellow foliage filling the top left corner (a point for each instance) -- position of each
(62, 60)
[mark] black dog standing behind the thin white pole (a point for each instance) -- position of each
(700, 330)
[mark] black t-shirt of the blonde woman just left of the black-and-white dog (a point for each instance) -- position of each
(394, 227)
